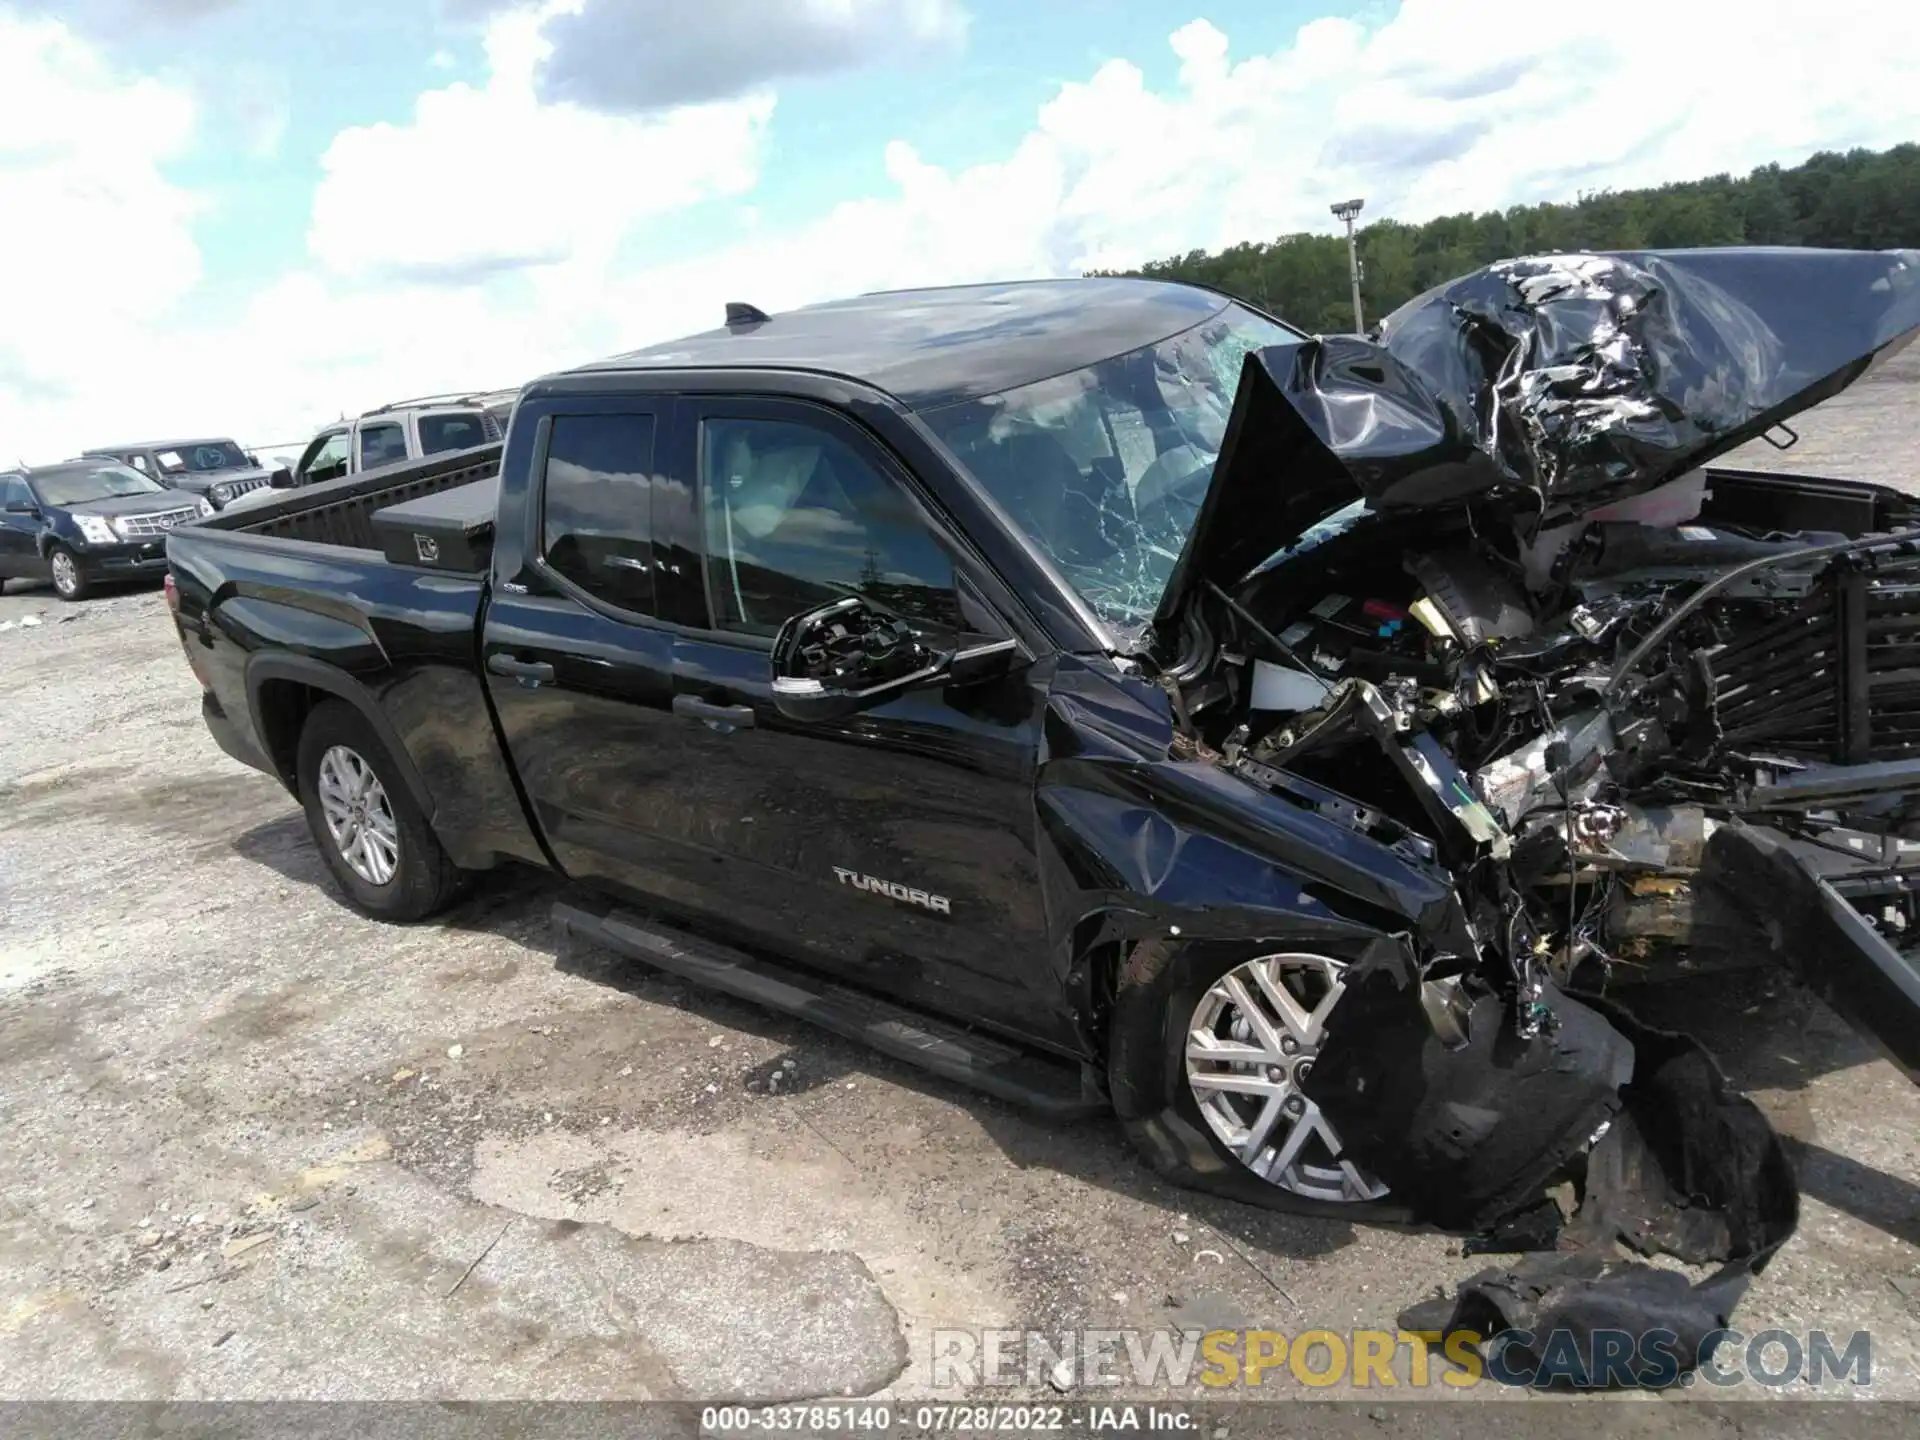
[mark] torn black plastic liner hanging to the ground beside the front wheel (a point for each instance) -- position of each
(1669, 1161)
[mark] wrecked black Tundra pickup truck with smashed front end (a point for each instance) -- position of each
(1111, 696)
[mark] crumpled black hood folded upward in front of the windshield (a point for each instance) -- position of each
(1562, 383)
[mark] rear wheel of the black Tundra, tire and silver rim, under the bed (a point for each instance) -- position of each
(364, 819)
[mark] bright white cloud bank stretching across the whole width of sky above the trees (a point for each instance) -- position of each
(420, 283)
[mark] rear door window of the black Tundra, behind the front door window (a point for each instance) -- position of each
(598, 508)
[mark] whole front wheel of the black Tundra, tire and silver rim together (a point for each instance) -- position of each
(1205, 1065)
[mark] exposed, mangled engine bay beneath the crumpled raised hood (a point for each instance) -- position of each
(1570, 723)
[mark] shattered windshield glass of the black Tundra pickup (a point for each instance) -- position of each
(1107, 468)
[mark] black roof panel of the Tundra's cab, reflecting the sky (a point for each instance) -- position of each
(938, 347)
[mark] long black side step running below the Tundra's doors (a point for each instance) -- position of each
(1032, 1082)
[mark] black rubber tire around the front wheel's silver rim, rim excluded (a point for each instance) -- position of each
(1168, 990)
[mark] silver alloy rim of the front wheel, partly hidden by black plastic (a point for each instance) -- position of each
(1251, 1045)
